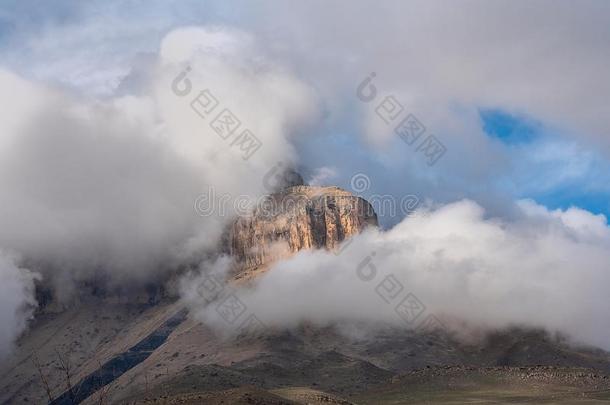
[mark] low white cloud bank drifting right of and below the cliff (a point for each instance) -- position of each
(544, 269)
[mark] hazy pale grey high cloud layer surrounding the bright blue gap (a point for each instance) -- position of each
(442, 62)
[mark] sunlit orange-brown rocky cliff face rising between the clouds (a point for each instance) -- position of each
(298, 217)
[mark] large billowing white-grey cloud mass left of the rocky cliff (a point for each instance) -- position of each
(107, 188)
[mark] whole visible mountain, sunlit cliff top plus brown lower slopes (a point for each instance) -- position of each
(182, 360)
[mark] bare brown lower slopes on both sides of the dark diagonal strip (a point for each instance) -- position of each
(194, 359)
